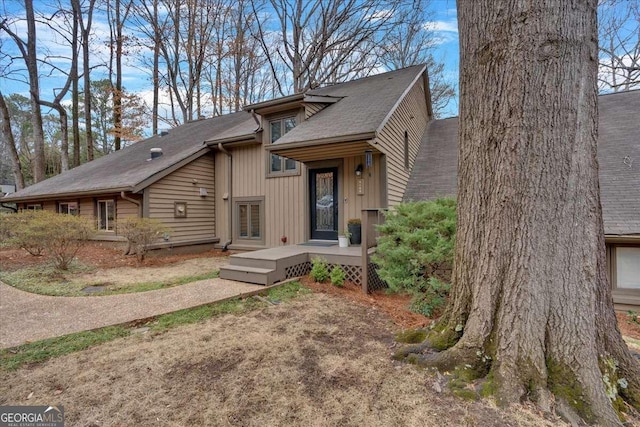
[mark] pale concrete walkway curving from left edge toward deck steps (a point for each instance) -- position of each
(28, 317)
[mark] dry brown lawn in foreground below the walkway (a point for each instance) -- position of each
(319, 360)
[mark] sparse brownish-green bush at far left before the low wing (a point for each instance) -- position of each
(61, 236)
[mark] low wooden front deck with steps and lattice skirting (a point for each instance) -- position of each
(269, 266)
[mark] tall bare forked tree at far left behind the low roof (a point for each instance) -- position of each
(28, 52)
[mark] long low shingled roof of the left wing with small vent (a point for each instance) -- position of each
(126, 169)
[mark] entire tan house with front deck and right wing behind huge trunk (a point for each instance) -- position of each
(282, 178)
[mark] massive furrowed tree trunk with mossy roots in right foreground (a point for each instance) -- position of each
(530, 288)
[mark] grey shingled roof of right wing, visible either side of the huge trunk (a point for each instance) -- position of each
(435, 171)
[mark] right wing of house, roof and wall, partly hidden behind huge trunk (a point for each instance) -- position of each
(619, 160)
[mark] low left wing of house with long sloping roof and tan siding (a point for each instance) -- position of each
(169, 177)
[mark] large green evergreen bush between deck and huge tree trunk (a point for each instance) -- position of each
(415, 246)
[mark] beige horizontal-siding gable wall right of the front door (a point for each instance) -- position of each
(411, 115)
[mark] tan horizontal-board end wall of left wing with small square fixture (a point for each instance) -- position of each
(184, 186)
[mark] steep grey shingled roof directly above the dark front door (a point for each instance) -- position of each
(363, 106)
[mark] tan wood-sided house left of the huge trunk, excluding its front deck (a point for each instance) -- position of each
(282, 172)
